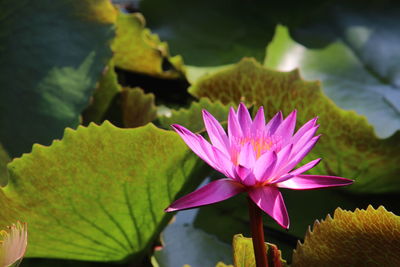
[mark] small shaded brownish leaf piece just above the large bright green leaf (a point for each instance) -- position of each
(138, 108)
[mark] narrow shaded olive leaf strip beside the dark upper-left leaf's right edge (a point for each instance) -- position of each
(108, 87)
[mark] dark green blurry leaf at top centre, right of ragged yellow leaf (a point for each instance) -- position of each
(211, 32)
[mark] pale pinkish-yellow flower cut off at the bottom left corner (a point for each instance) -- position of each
(13, 244)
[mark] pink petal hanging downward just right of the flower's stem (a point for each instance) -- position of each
(270, 200)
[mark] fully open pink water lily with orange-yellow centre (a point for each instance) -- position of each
(256, 158)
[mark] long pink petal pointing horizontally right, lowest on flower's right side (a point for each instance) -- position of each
(303, 182)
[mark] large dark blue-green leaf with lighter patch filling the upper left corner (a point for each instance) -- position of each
(53, 53)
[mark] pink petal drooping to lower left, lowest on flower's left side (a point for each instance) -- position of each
(213, 192)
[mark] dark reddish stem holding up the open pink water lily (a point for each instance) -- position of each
(257, 233)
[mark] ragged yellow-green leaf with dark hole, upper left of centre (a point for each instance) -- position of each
(136, 49)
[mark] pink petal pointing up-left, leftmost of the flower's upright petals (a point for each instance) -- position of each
(198, 145)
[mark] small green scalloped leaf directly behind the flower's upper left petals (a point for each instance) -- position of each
(192, 117)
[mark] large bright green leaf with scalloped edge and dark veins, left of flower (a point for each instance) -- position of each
(98, 194)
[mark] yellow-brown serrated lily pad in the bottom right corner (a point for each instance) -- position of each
(368, 237)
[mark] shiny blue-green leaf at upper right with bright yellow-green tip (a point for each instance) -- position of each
(356, 73)
